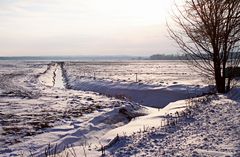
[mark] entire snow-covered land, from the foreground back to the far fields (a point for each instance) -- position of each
(112, 108)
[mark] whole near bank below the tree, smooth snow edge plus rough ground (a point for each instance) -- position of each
(203, 126)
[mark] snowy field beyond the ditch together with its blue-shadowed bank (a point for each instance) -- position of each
(157, 84)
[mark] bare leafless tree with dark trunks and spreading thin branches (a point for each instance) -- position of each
(208, 33)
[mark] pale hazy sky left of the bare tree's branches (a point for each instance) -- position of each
(84, 27)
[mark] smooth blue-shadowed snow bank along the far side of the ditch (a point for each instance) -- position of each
(149, 95)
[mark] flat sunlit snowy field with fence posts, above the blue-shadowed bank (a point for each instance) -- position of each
(147, 72)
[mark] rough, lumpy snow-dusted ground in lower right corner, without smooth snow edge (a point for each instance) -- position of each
(210, 128)
